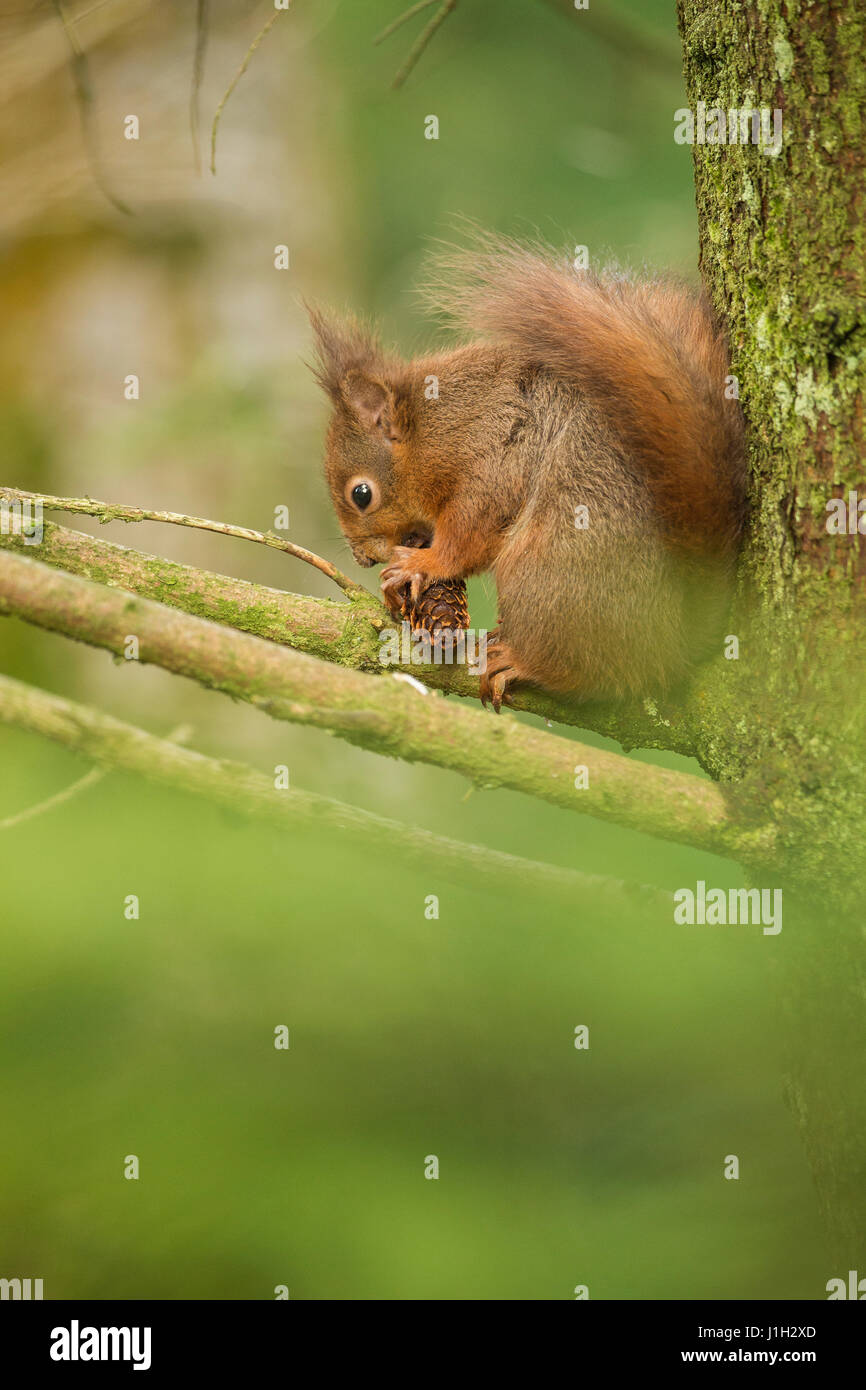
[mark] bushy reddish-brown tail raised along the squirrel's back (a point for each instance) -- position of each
(648, 352)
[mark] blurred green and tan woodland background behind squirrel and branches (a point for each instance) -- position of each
(408, 1036)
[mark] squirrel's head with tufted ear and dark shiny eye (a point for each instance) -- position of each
(363, 444)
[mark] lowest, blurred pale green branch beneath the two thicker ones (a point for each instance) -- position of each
(244, 790)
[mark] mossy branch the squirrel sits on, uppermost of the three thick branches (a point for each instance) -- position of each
(347, 635)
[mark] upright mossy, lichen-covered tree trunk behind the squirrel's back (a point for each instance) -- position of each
(783, 255)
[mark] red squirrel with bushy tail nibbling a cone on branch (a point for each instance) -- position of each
(583, 447)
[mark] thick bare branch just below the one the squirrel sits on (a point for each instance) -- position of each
(491, 753)
